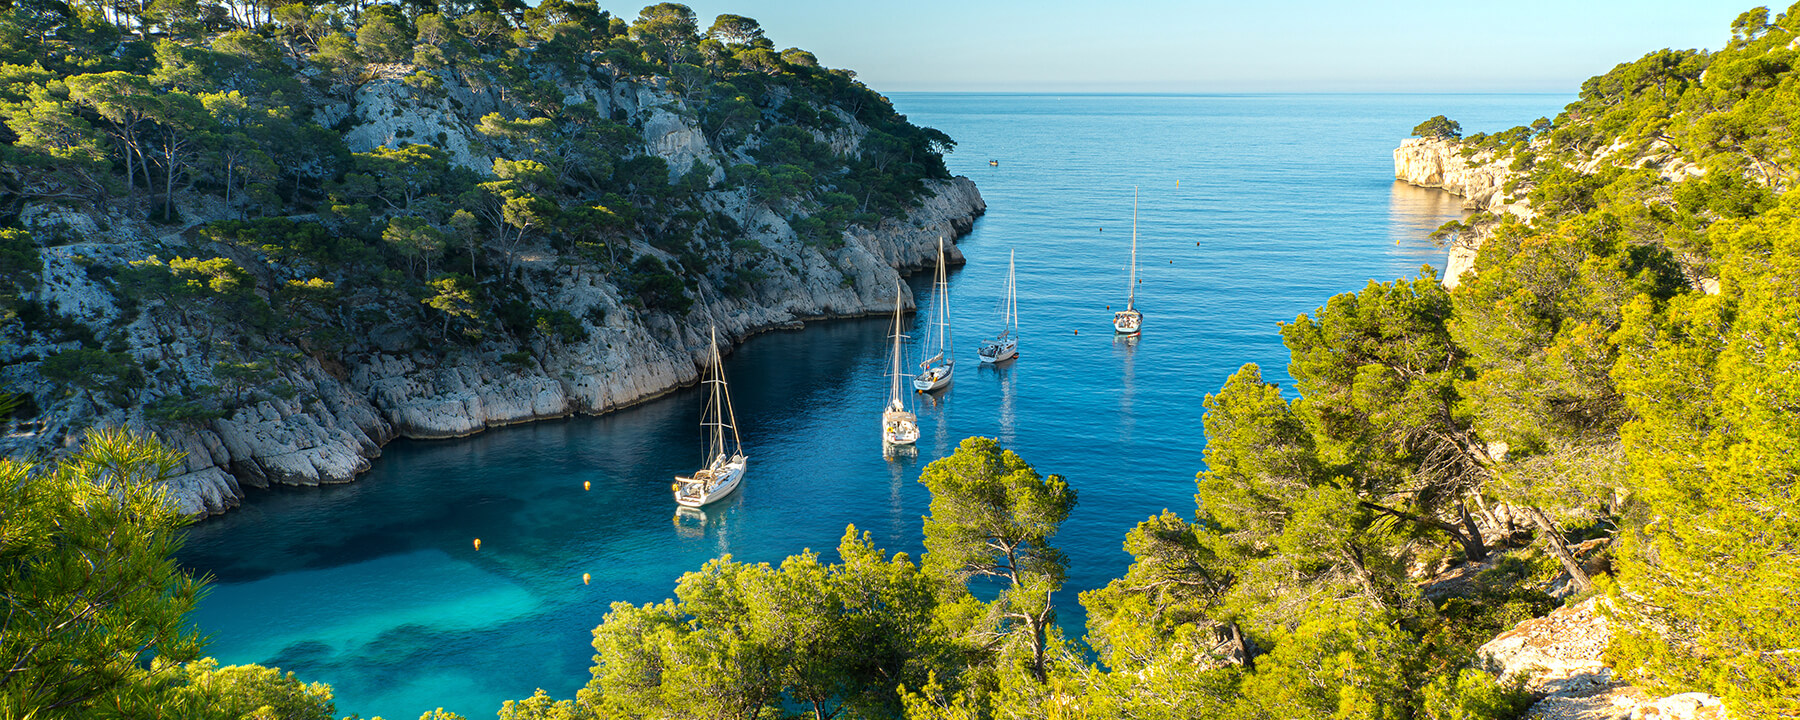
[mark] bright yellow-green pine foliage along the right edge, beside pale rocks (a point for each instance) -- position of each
(1713, 453)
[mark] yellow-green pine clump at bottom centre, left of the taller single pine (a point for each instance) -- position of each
(744, 640)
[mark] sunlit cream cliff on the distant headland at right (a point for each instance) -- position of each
(1480, 181)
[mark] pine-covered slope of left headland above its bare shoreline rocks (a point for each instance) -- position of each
(280, 184)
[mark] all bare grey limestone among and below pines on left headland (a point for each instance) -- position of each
(399, 381)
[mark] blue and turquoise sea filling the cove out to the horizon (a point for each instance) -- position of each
(1282, 201)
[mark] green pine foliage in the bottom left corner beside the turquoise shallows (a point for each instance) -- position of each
(91, 582)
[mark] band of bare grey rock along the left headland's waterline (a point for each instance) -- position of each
(633, 359)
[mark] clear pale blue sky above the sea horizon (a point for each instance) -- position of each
(1167, 46)
